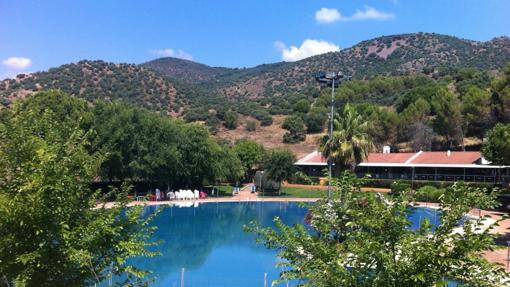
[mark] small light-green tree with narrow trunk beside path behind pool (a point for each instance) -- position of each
(250, 153)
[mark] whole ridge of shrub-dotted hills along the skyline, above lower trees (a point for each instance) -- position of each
(153, 84)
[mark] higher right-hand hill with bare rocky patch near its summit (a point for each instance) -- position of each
(383, 56)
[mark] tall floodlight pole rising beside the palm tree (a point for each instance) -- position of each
(333, 79)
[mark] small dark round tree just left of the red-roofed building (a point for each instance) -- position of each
(279, 165)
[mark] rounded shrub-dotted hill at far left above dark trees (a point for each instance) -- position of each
(95, 80)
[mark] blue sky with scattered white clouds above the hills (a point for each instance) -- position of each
(37, 35)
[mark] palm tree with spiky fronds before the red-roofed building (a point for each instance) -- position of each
(350, 143)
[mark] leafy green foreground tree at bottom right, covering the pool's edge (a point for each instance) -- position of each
(360, 239)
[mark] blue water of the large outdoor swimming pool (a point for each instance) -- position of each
(208, 241)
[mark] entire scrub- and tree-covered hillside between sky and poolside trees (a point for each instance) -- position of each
(419, 91)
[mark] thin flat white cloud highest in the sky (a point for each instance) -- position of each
(327, 15)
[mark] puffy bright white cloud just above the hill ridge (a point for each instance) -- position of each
(308, 48)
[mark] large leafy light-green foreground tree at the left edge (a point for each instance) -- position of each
(54, 230)
